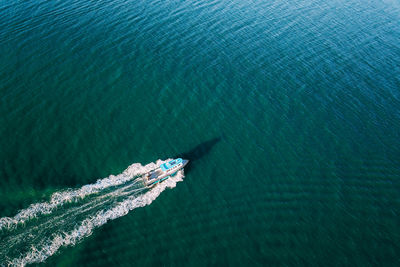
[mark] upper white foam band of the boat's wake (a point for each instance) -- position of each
(57, 199)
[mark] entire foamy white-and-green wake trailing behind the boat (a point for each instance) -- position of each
(39, 231)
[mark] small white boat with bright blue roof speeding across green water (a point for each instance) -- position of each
(164, 171)
